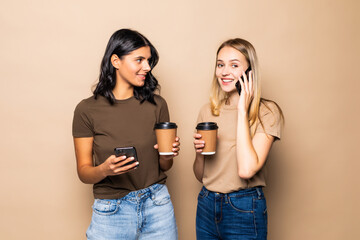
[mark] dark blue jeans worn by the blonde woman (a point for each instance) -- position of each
(236, 215)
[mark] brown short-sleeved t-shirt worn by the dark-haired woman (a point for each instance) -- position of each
(124, 124)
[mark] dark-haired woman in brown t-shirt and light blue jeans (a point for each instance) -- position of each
(131, 198)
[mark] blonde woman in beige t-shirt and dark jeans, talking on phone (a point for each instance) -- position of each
(231, 204)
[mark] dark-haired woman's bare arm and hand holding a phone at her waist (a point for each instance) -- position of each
(84, 162)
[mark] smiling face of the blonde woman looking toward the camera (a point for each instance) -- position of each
(230, 64)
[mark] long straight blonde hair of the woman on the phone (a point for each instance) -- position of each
(219, 97)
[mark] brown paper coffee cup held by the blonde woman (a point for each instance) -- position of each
(208, 131)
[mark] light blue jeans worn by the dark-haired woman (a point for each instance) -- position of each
(144, 214)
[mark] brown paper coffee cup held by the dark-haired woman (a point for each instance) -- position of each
(165, 136)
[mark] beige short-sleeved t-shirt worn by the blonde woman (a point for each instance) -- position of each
(221, 170)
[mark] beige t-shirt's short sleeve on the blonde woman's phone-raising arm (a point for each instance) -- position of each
(271, 120)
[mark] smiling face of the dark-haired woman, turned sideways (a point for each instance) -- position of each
(132, 68)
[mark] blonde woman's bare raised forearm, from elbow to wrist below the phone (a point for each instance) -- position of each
(248, 162)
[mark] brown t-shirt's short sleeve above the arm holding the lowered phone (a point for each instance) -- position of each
(82, 125)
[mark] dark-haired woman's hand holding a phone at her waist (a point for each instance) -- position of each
(115, 165)
